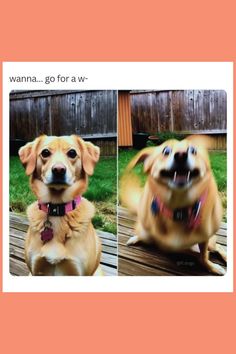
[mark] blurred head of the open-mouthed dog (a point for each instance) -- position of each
(177, 164)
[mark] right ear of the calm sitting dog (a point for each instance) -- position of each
(90, 155)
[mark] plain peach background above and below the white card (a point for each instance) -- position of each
(122, 31)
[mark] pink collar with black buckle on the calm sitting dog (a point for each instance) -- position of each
(59, 209)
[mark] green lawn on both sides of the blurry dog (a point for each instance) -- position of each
(218, 164)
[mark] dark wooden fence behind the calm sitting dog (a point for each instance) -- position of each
(90, 114)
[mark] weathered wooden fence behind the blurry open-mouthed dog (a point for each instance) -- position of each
(190, 111)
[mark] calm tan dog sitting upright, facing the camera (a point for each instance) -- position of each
(61, 239)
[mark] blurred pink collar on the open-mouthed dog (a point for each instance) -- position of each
(190, 216)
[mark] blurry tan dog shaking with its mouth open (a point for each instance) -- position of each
(179, 205)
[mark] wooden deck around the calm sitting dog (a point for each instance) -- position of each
(18, 227)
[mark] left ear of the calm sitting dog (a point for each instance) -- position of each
(28, 156)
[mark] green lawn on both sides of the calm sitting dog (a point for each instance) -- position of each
(102, 191)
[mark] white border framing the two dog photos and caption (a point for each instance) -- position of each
(171, 75)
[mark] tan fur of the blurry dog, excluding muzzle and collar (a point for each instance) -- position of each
(168, 234)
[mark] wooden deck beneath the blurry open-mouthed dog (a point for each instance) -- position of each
(149, 260)
